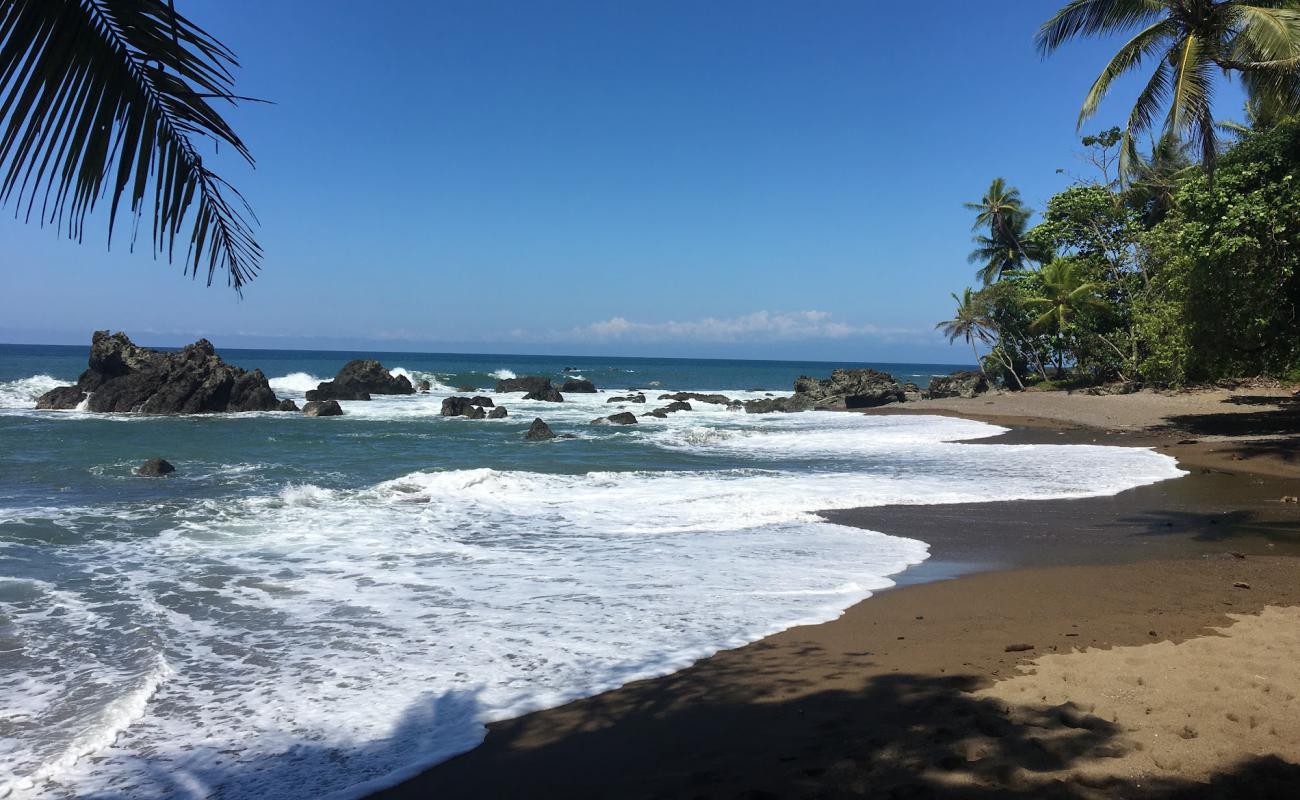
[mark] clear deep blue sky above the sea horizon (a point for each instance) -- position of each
(726, 179)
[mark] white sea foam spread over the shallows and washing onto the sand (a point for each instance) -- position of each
(323, 642)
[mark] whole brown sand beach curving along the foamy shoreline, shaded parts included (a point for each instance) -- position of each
(1137, 646)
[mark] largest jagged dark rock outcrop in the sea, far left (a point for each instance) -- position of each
(123, 377)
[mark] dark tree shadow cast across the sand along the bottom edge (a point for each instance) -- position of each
(717, 733)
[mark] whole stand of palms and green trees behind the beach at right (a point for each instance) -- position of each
(1181, 263)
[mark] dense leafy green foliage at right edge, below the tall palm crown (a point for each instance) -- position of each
(1227, 261)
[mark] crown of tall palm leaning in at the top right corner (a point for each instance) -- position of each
(1189, 41)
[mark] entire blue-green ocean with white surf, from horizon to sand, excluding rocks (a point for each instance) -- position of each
(320, 607)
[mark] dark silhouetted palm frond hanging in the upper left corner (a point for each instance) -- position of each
(110, 98)
